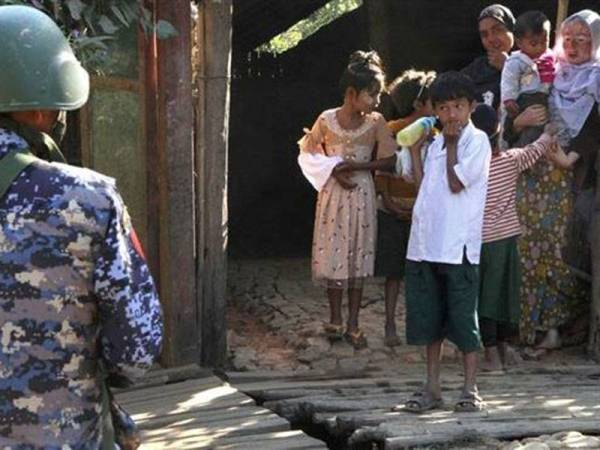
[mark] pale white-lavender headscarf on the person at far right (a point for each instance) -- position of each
(576, 87)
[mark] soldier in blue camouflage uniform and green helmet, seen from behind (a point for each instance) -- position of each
(75, 290)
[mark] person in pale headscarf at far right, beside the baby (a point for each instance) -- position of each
(574, 107)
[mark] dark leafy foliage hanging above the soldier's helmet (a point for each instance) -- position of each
(90, 24)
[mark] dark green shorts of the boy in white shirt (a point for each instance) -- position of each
(441, 302)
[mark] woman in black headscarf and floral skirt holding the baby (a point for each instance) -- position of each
(496, 25)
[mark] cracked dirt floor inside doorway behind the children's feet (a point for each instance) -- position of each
(275, 318)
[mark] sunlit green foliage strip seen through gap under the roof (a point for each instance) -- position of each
(310, 25)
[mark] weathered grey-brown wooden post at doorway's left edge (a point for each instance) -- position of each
(214, 41)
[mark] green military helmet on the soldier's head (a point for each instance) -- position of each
(39, 69)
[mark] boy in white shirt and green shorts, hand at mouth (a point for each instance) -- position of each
(445, 241)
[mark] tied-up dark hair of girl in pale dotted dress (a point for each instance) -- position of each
(364, 71)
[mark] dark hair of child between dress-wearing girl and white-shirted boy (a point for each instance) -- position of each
(411, 85)
